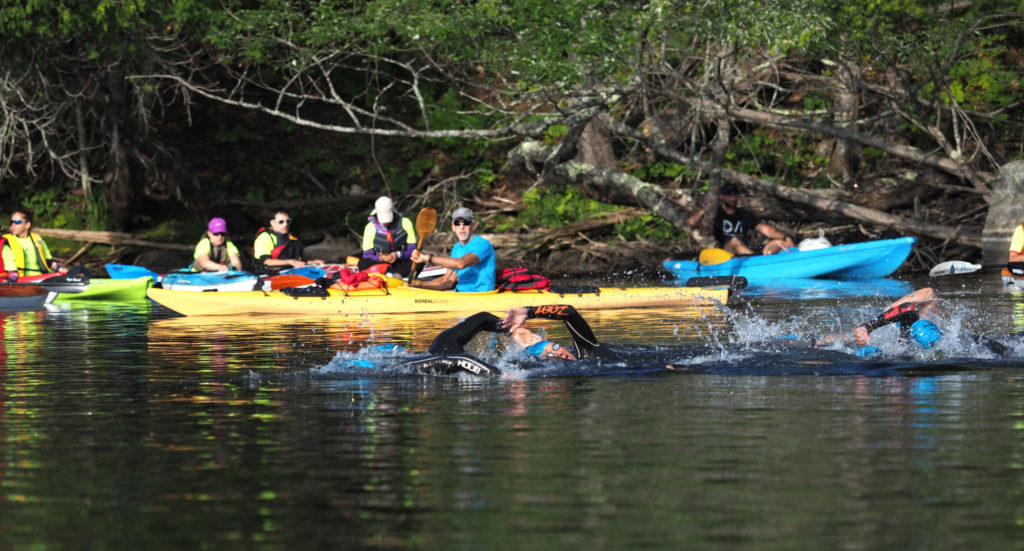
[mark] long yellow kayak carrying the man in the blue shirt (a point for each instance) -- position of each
(397, 299)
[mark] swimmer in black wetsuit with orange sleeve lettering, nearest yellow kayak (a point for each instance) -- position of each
(449, 354)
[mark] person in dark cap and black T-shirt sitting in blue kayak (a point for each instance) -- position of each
(735, 227)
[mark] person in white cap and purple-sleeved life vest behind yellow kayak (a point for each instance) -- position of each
(389, 238)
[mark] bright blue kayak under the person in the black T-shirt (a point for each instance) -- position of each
(855, 262)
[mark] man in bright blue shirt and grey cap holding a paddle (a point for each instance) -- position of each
(472, 267)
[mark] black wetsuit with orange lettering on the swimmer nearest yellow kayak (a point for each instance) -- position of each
(449, 353)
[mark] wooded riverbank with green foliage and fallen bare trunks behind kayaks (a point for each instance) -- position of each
(583, 134)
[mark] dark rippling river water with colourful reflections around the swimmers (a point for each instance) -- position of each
(125, 427)
